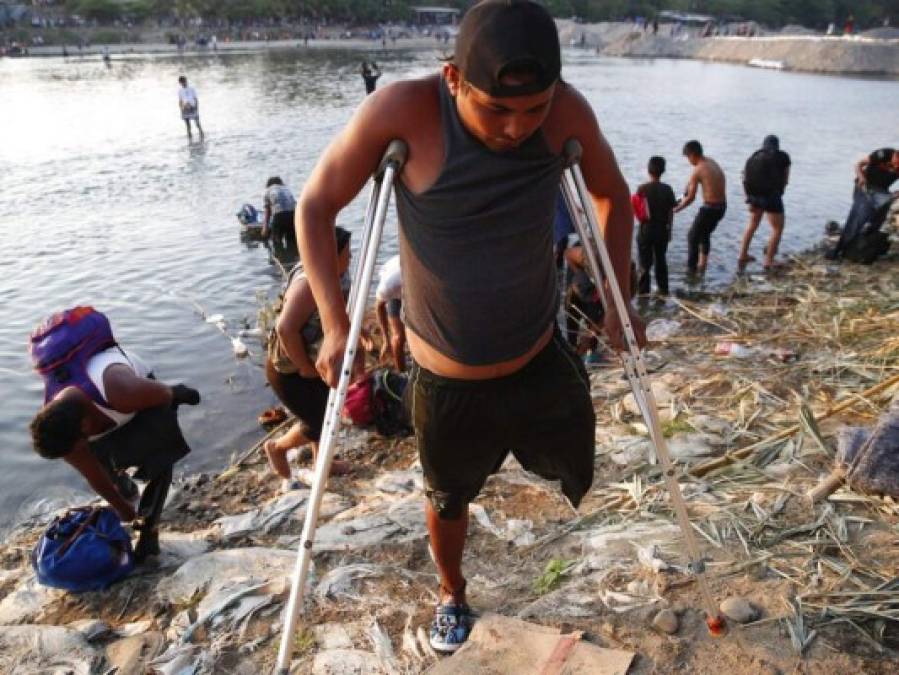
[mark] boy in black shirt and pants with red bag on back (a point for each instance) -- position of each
(655, 233)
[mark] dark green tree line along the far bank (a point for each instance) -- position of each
(811, 13)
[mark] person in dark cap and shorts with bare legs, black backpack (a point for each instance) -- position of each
(765, 179)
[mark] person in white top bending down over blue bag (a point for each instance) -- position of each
(114, 416)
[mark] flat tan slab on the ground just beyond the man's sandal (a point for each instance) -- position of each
(499, 644)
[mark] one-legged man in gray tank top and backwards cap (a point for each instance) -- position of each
(476, 200)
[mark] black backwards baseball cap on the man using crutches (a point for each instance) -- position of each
(499, 36)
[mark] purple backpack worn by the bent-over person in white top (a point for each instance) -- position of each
(62, 345)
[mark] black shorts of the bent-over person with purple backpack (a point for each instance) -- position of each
(152, 441)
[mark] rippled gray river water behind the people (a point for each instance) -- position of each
(104, 202)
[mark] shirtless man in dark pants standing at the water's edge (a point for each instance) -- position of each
(708, 174)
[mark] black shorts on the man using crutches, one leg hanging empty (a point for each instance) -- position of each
(465, 429)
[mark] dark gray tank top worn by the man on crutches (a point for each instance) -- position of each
(479, 281)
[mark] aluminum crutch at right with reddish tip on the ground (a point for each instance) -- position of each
(575, 192)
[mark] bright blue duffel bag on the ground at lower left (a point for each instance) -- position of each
(86, 549)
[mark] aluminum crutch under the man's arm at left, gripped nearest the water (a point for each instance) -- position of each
(391, 164)
